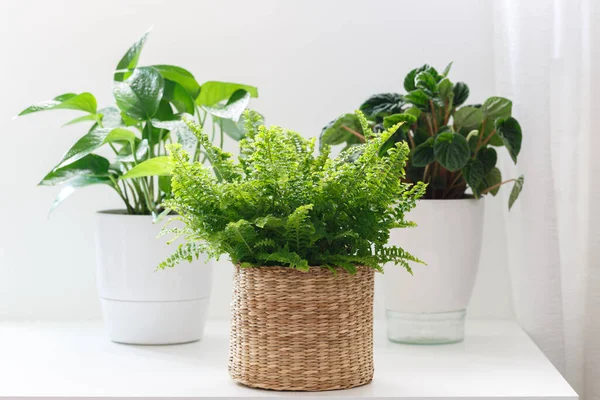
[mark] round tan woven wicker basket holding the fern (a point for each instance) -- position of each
(294, 330)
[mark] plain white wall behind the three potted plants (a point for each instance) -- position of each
(311, 61)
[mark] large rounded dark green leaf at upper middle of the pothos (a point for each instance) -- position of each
(139, 95)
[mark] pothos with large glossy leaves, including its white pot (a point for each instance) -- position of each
(141, 306)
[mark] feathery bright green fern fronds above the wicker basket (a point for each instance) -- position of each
(279, 204)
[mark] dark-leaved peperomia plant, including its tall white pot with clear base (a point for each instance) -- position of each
(452, 149)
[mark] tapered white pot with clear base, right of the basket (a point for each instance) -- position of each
(430, 306)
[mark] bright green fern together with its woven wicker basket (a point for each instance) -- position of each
(306, 234)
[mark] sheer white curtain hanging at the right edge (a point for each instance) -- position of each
(547, 59)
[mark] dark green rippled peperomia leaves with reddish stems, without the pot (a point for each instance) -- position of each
(452, 145)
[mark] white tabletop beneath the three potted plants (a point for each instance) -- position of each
(74, 359)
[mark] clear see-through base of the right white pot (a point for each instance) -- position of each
(426, 328)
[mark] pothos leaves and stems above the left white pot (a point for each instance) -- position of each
(150, 102)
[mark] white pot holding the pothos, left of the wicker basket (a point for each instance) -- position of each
(140, 304)
